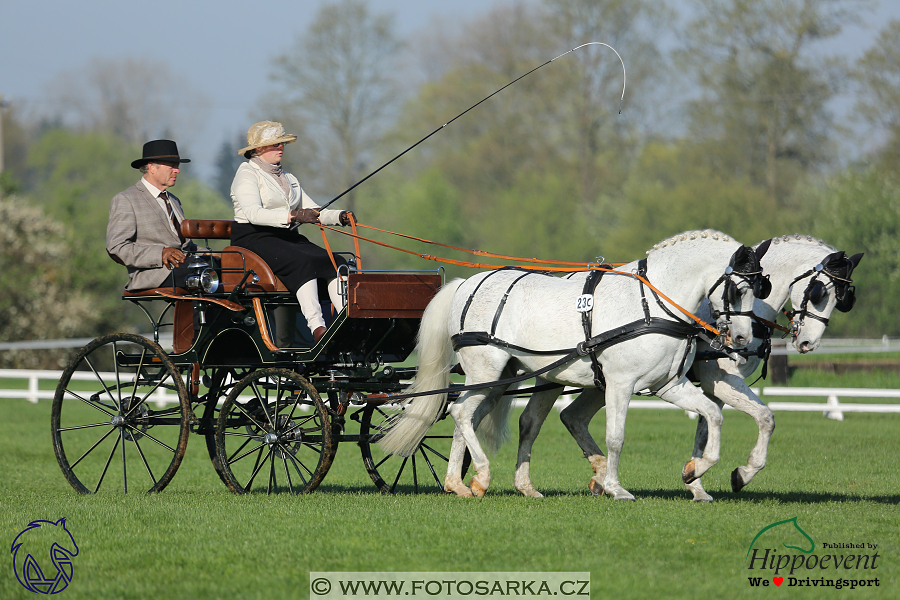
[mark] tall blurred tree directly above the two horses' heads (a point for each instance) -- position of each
(763, 112)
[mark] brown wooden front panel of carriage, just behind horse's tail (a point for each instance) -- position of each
(390, 295)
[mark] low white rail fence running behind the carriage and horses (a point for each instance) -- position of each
(833, 408)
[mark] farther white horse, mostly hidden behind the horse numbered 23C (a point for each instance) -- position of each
(789, 260)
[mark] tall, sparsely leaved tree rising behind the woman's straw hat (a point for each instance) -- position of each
(337, 85)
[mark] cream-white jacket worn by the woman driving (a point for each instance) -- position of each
(259, 199)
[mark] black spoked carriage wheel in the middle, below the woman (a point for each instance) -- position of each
(274, 433)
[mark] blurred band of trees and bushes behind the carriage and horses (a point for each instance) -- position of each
(727, 123)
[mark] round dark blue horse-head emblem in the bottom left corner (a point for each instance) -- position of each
(42, 556)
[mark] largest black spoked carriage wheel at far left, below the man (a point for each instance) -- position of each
(108, 412)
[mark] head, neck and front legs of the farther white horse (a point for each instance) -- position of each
(817, 278)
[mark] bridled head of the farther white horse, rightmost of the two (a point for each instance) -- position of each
(828, 285)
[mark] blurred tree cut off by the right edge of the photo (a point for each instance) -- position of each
(878, 75)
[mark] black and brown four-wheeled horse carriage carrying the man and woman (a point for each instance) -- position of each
(272, 404)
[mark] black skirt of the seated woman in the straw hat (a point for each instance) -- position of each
(293, 258)
